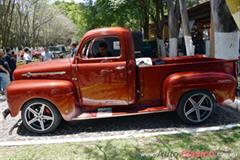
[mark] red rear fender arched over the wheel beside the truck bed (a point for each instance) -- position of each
(222, 85)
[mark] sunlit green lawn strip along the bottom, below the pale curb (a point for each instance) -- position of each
(216, 145)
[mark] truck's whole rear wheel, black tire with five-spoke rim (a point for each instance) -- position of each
(190, 113)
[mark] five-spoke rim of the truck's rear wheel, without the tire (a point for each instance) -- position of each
(198, 107)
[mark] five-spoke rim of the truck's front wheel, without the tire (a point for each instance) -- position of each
(39, 117)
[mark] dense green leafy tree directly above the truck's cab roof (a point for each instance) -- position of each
(133, 14)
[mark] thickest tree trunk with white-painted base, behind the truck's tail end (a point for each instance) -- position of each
(226, 37)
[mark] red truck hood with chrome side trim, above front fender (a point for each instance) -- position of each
(59, 68)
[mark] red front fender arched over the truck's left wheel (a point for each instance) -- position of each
(61, 93)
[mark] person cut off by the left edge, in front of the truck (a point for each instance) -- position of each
(4, 74)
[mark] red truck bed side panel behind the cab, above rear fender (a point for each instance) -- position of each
(151, 78)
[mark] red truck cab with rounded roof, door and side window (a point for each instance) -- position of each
(106, 80)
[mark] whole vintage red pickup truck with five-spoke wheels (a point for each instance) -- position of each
(86, 86)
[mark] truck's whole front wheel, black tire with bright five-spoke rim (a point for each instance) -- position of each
(40, 116)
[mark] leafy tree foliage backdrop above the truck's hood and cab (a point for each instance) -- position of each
(39, 22)
